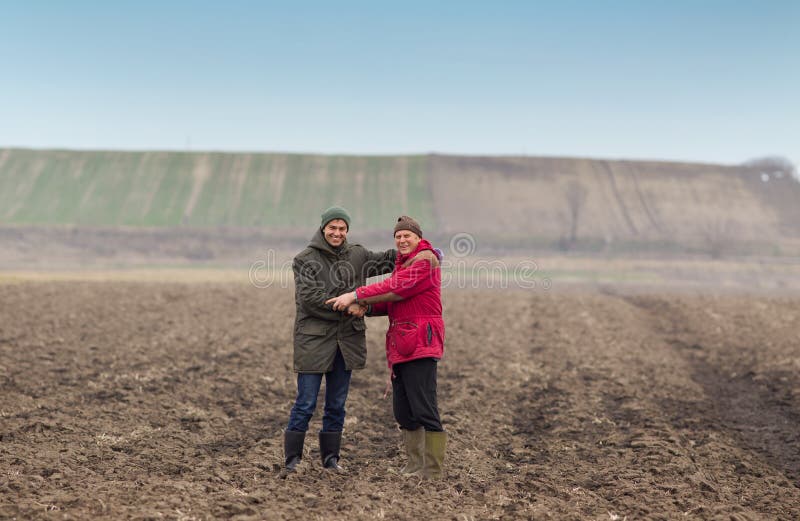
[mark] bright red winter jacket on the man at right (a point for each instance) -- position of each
(416, 328)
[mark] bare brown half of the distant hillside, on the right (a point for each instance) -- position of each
(610, 201)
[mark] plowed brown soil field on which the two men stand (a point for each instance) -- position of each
(166, 401)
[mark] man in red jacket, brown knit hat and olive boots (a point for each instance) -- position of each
(411, 297)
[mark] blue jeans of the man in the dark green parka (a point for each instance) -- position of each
(337, 384)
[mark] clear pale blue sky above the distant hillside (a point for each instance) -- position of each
(696, 80)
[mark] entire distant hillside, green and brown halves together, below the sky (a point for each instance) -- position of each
(507, 200)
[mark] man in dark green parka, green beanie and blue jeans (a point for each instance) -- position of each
(326, 342)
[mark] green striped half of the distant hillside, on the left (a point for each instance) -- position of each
(205, 189)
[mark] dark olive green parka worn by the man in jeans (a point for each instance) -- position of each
(322, 272)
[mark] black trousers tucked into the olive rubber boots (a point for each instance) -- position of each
(414, 395)
